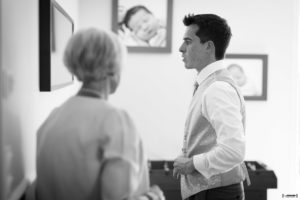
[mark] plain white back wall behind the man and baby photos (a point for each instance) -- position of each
(156, 88)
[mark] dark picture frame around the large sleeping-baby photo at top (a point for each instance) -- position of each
(167, 5)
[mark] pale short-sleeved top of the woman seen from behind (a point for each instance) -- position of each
(73, 142)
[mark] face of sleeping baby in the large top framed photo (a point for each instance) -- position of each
(143, 24)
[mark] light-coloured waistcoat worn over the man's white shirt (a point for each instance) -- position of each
(200, 137)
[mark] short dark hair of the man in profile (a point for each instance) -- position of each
(211, 28)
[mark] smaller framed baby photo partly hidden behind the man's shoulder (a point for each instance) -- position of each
(250, 72)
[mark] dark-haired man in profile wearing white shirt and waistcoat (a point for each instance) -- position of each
(211, 165)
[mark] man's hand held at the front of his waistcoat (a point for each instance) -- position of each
(183, 166)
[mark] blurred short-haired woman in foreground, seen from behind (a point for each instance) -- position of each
(87, 148)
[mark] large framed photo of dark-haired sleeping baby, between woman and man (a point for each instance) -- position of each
(143, 25)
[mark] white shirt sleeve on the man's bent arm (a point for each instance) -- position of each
(222, 108)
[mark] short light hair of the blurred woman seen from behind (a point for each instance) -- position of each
(93, 54)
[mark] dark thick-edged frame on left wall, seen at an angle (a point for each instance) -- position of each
(56, 27)
